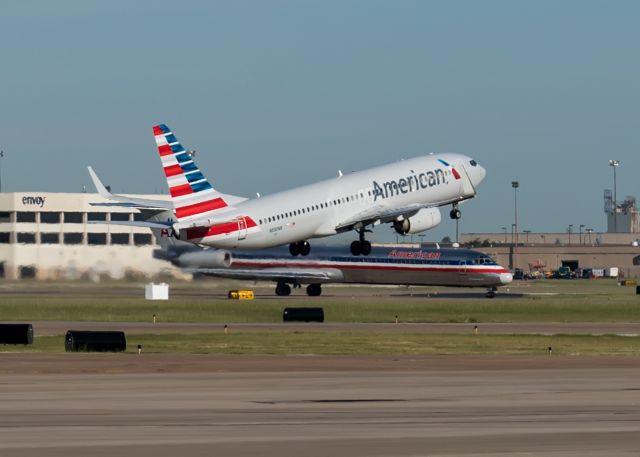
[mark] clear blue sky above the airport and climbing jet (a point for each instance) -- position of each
(273, 94)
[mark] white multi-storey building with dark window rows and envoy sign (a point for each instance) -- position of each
(47, 235)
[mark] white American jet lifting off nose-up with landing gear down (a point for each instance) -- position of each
(406, 194)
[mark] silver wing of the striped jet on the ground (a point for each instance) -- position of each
(316, 275)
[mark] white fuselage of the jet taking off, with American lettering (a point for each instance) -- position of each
(320, 209)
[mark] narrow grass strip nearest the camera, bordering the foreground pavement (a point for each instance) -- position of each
(359, 343)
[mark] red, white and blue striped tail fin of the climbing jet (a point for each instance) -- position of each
(192, 195)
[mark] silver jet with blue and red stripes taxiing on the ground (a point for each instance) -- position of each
(455, 267)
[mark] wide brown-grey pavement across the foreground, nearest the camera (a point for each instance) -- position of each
(124, 404)
